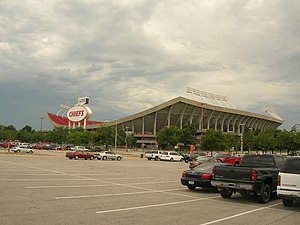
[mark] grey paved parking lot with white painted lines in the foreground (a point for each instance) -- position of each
(50, 189)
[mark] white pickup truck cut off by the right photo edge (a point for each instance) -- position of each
(288, 187)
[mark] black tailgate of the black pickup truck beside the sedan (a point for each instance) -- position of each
(232, 173)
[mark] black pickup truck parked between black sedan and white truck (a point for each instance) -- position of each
(256, 175)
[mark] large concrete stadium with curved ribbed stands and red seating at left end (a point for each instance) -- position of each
(178, 112)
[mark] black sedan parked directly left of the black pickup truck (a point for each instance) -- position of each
(200, 176)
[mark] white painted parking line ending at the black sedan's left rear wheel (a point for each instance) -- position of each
(118, 194)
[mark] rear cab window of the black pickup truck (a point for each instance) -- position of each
(258, 161)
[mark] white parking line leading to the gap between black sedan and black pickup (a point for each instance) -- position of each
(155, 205)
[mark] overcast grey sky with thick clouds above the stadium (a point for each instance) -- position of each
(130, 55)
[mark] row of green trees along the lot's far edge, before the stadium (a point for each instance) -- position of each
(273, 140)
